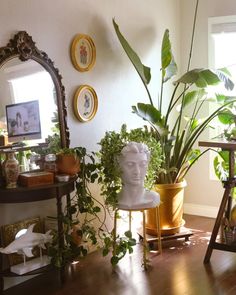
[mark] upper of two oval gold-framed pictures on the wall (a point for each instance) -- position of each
(83, 52)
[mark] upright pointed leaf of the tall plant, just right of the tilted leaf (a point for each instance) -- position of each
(168, 65)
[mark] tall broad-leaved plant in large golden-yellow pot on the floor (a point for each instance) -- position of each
(177, 140)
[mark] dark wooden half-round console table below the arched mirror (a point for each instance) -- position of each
(34, 194)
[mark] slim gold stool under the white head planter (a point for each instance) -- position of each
(144, 230)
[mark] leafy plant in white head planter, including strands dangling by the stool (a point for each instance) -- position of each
(110, 179)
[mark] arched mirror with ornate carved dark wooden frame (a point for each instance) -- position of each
(31, 88)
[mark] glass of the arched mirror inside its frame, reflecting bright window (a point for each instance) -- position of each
(24, 82)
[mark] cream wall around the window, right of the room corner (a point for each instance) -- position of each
(203, 195)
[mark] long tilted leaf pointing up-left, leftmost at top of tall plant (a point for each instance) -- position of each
(143, 71)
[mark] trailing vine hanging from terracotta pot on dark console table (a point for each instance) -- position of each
(80, 216)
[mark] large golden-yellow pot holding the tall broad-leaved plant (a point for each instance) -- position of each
(171, 209)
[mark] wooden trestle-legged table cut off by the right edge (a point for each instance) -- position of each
(226, 203)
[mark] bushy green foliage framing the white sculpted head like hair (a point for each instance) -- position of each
(111, 146)
